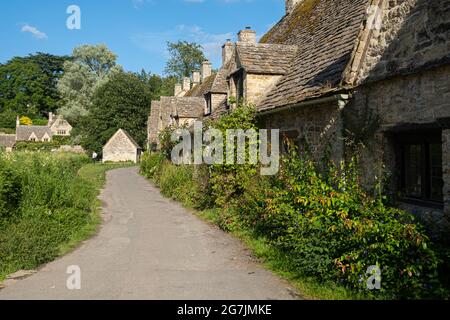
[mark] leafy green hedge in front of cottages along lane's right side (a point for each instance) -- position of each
(324, 222)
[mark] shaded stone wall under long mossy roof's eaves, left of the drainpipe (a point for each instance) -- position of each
(319, 127)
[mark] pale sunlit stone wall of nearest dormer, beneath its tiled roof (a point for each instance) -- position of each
(257, 86)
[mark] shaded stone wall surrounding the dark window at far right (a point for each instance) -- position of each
(417, 99)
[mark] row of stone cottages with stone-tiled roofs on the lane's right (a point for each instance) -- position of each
(344, 77)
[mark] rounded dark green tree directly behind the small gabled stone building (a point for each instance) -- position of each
(122, 102)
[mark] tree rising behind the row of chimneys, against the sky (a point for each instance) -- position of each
(184, 58)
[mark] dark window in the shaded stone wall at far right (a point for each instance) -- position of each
(421, 167)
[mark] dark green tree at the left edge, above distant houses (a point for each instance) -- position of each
(28, 86)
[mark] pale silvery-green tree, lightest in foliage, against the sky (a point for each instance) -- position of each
(90, 67)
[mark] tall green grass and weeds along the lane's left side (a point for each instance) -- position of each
(54, 207)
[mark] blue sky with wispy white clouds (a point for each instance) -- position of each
(136, 30)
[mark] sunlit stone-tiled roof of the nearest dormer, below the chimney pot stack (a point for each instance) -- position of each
(265, 58)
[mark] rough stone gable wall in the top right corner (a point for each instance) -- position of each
(414, 35)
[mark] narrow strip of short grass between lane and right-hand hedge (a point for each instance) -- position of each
(275, 261)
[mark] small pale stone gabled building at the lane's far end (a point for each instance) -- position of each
(121, 148)
